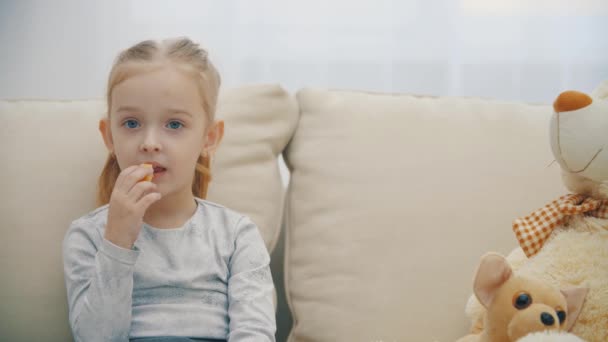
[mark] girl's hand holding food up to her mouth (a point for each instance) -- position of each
(130, 199)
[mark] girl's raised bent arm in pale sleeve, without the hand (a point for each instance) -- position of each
(99, 282)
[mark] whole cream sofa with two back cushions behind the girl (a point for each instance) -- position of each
(392, 199)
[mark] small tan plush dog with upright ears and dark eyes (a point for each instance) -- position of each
(516, 305)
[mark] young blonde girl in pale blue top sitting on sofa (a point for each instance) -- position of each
(156, 261)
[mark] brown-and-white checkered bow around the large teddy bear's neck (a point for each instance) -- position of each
(533, 230)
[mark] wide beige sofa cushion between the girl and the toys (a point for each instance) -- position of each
(393, 199)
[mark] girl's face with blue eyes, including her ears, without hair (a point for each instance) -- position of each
(157, 117)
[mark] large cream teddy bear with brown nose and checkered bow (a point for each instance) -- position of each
(566, 242)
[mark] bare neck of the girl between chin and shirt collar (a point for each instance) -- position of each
(171, 211)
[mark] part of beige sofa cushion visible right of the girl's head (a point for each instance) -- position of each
(259, 122)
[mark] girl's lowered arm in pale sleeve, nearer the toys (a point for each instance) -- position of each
(250, 287)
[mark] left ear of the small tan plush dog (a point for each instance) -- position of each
(492, 273)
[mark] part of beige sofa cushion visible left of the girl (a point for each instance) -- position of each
(51, 154)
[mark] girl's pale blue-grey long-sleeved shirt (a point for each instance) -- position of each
(209, 278)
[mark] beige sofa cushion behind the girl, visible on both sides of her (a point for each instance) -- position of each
(52, 154)
